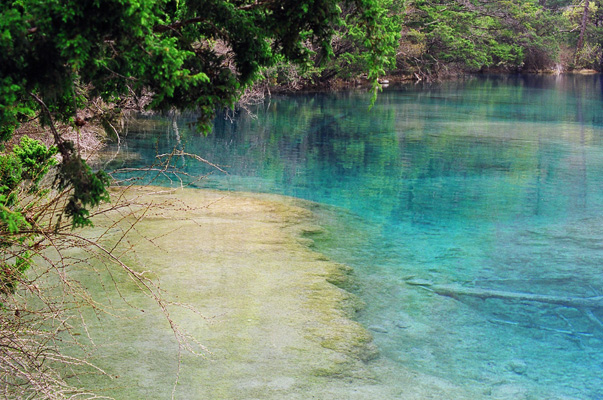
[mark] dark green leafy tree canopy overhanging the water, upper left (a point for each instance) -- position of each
(189, 54)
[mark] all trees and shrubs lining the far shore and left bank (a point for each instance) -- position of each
(70, 71)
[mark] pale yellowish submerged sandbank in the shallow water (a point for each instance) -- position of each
(271, 313)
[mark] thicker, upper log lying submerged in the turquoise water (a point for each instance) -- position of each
(582, 303)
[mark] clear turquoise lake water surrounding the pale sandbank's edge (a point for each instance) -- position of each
(493, 182)
